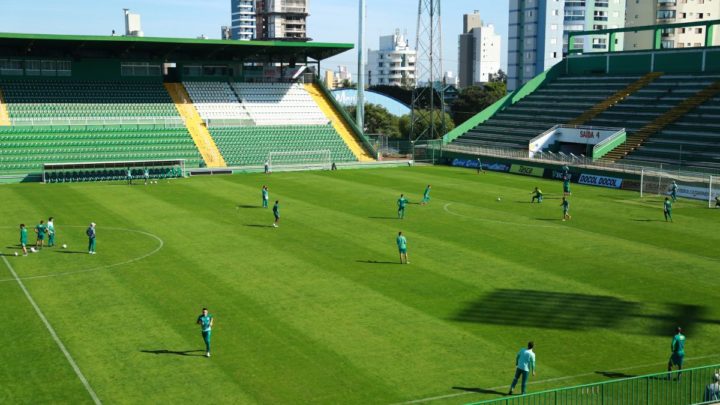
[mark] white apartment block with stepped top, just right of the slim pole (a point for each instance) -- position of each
(393, 64)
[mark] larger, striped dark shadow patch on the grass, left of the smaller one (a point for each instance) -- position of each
(545, 309)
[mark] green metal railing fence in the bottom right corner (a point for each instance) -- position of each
(680, 388)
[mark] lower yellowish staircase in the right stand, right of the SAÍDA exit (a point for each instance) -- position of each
(636, 139)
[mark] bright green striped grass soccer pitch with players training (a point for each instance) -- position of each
(318, 311)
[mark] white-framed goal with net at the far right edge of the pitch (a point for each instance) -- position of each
(695, 186)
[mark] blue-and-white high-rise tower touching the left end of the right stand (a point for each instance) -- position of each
(535, 38)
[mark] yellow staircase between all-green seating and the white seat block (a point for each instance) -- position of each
(195, 125)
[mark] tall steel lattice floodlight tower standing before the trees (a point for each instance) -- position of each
(428, 74)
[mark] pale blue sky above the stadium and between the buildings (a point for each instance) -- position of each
(329, 21)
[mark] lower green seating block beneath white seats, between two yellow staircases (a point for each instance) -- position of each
(248, 146)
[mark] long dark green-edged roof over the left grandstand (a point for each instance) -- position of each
(167, 49)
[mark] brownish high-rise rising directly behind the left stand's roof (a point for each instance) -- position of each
(283, 20)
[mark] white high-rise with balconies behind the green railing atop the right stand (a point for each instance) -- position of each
(594, 15)
